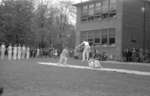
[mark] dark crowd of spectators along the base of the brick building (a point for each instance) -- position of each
(129, 55)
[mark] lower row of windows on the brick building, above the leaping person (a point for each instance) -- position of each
(100, 37)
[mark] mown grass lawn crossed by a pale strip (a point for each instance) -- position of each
(27, 78)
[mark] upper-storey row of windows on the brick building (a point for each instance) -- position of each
(98, 10)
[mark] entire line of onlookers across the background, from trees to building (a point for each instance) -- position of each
(18, 51)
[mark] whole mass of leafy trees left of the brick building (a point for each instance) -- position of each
(40, 26)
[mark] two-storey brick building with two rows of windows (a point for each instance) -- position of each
(114, 25)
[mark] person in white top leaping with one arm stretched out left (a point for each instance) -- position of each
(86, 50)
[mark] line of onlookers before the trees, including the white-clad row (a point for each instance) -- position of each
(18, 51)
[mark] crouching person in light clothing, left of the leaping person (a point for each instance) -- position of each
(64, 56)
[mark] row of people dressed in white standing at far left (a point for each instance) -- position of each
(15, 52)
